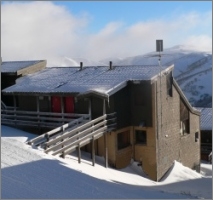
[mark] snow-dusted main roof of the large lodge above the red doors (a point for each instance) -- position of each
(98, 79)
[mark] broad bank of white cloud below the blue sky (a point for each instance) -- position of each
(44, 30)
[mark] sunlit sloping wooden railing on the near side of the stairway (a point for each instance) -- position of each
(70, 139)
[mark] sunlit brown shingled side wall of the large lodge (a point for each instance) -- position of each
(170, 145)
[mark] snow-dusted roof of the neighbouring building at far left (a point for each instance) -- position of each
(14, 66)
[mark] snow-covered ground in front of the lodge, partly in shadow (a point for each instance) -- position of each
(29, 173)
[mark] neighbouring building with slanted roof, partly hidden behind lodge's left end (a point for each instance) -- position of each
(12, 70)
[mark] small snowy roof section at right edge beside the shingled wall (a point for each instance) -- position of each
(205, 118)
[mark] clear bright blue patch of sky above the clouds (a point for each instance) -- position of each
(130, 12)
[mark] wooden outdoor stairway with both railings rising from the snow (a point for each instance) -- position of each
(65, 139)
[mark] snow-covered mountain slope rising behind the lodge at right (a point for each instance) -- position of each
(193, 71)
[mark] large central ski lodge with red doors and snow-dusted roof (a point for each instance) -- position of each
(155, 122)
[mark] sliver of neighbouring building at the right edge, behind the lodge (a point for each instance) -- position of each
(206, 131)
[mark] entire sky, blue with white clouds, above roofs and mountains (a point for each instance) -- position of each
(97, 30)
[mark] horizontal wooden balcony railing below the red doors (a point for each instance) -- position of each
(13, 117)
